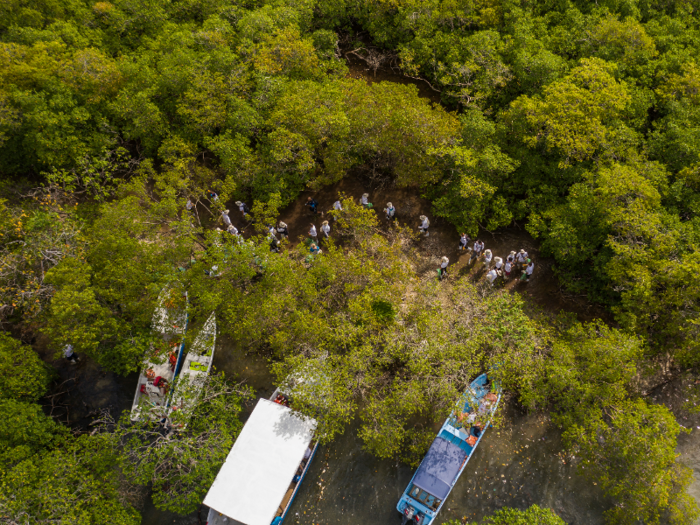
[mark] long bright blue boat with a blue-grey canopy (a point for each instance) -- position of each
(449, 453)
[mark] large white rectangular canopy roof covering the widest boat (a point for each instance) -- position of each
(261, 465)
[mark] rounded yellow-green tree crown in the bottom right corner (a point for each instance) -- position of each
(630, 450)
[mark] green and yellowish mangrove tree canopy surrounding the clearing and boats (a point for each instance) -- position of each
(577, 119)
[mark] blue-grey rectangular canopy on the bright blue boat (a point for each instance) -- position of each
(439, 467)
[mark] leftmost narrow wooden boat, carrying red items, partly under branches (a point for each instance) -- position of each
(158, 373)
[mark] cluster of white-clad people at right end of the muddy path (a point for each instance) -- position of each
(496, 267)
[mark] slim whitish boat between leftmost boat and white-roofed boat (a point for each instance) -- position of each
(195, 369)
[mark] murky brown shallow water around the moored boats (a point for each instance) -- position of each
(516, 465)
